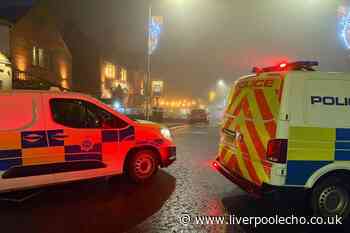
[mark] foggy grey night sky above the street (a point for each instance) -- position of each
(204, 40)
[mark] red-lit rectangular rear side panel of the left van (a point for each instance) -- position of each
(17, 112)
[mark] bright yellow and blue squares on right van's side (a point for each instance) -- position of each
(310, 149)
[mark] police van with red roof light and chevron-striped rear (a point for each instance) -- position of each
(288, 127)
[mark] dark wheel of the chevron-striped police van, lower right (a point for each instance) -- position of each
(331, 197)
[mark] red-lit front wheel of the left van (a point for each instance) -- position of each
(142, 165)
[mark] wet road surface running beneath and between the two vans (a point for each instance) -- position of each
(189, 186)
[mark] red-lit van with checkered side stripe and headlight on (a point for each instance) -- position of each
(49, 137)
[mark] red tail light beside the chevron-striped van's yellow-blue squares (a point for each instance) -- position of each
(277, 150)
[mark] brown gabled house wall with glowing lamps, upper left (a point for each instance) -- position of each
(38, 29)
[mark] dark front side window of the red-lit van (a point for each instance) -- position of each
(81, 114)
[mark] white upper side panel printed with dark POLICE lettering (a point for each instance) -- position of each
(327, 103)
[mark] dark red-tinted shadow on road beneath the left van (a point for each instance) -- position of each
(91, 206)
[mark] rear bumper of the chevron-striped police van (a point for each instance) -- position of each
(252, 188)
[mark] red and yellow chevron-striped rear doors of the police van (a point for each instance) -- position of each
(249, 123)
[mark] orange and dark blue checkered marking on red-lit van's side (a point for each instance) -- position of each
(56, 146)
